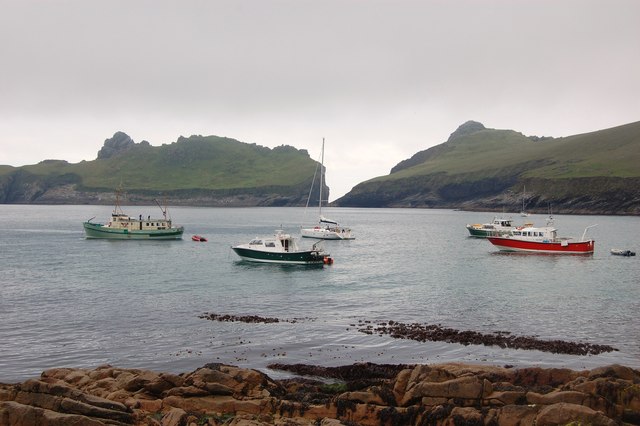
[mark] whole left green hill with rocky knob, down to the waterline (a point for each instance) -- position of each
(199, 170)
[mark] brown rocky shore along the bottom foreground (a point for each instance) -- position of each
(358, 394)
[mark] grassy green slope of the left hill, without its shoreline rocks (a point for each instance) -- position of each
(197, 162)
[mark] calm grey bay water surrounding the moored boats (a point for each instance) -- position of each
(70, 302)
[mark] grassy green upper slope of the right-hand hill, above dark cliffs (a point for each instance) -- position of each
(612, 152)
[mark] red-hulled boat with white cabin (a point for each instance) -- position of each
(542, 240)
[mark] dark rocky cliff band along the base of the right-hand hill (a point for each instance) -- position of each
(595, 195)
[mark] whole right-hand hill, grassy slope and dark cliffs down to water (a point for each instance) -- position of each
(480, 168)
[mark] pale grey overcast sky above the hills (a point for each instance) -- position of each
(379, 79)
